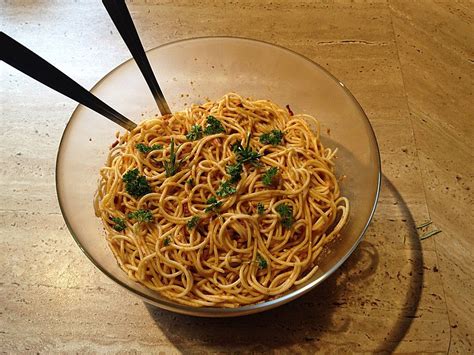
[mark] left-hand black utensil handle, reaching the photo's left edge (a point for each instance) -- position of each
(29, 63)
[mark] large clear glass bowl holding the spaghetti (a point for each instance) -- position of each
(190, 71)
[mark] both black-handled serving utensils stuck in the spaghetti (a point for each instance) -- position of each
(31, 64)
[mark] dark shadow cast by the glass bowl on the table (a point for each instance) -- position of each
(302, 323)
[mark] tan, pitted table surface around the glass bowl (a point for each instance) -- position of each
(410, 65)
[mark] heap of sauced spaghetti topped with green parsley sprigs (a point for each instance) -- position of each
(225, 204)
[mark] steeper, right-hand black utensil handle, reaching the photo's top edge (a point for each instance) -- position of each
(120, 15)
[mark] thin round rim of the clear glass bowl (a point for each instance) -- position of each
(248, 309)
